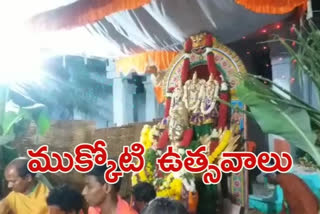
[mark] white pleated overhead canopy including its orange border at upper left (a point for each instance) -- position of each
(113, 29)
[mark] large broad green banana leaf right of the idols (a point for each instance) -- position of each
(275, 115)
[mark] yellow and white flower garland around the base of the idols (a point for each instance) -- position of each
(171, 185)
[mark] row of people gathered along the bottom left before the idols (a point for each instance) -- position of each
(30, 196)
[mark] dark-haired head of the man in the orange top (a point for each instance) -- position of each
(97, 190)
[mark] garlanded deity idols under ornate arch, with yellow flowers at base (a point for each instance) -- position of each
(196, 114)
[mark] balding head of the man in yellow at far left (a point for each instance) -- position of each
(19, 178)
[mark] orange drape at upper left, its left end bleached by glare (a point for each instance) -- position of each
(82, 12)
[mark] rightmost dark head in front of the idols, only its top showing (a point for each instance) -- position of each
(164, 206)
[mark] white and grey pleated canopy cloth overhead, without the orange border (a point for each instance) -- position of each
(161, 25)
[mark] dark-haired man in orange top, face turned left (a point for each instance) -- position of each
(103, 197)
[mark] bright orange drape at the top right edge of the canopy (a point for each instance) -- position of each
(272, 6)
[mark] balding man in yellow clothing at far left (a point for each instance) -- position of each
(28, 195)
